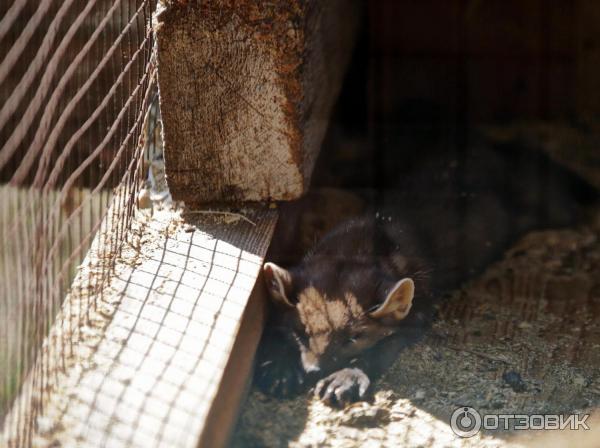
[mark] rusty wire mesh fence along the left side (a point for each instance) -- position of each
(76, 82)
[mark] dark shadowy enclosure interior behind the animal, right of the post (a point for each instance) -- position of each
(427, 75)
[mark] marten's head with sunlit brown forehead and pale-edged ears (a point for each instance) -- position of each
(334, 314)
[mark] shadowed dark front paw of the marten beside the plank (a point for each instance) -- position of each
(281, 379)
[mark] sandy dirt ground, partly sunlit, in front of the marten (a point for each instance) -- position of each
(523, 338)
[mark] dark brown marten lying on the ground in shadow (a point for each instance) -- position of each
(368, 288)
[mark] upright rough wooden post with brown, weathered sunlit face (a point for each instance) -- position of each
(246, 90)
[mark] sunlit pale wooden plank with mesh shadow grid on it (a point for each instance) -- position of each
(156, 355)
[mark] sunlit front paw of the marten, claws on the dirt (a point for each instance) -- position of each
(343, 387)
